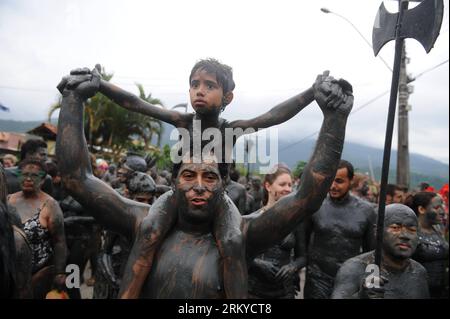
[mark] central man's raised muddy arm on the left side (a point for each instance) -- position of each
(108, 207)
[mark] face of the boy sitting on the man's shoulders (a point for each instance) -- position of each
(205, 92)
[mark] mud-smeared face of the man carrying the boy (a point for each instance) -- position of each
(199, 186)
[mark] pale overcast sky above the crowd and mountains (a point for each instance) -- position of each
(276, 49)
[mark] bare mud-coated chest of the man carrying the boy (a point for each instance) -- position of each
(186, 266)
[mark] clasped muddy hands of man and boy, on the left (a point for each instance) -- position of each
(81, 81)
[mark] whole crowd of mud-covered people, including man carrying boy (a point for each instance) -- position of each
(201, 230)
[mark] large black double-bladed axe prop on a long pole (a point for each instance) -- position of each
(423, 24)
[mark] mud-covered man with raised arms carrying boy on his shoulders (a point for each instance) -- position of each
(187, 263)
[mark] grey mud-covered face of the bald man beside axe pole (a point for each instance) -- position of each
(400, 235)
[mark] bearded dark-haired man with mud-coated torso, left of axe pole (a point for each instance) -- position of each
(339, 230)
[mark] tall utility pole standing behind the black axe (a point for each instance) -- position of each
(404, 90)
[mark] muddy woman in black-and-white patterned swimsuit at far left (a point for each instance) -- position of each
(43, 224)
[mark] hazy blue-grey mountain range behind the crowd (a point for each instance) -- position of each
(361, 156)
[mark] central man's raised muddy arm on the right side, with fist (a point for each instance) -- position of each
(272, 226)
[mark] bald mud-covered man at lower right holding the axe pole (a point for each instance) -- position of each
(399, 277)
